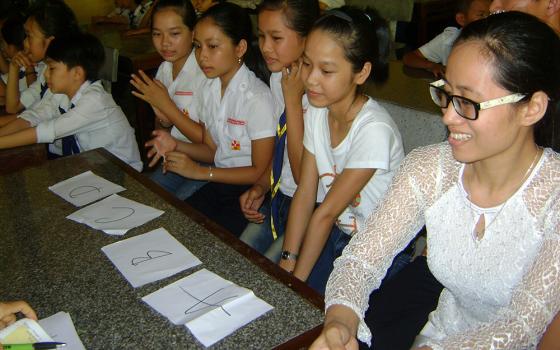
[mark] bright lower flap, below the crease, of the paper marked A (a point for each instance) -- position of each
(214, 325)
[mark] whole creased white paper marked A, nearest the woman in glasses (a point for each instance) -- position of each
(209, 305)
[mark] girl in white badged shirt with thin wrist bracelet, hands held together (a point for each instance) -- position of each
(237, 109)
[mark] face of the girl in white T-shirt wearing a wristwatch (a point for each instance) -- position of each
(327, 74)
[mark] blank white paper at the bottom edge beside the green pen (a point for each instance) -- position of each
(61, 328)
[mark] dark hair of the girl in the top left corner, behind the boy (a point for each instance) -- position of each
(54, 18)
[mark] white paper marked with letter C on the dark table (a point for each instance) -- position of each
(115, 215)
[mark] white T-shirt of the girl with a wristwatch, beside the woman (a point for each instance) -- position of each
(373, 142)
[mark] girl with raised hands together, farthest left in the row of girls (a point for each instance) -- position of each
(177, 83)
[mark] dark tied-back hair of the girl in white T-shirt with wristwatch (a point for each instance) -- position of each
(364, 37)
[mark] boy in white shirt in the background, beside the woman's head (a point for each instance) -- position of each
(433, 55)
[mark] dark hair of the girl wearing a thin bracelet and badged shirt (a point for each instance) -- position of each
(235, 23)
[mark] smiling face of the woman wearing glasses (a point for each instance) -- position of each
(470, 74)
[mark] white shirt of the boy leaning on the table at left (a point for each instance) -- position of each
(95, 120)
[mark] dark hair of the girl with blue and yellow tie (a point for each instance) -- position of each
(299, 14)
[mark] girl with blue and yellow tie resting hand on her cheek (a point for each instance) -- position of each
(283, 27)
